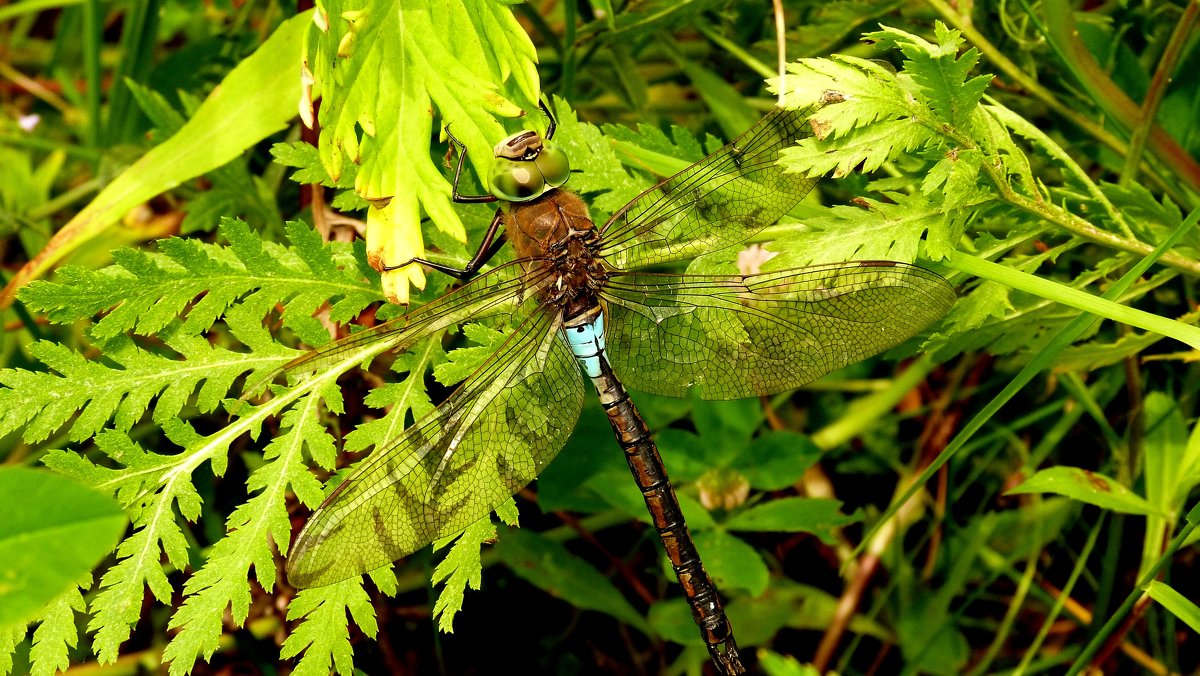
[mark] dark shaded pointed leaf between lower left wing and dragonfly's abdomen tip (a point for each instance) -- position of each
(550, 567)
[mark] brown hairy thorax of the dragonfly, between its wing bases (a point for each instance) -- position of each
(557, 237)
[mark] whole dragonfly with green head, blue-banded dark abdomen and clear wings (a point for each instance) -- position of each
(579, 304)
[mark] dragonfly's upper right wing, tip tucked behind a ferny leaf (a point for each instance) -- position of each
(716, 204)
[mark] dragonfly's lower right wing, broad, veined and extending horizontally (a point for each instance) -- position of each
(737, 337)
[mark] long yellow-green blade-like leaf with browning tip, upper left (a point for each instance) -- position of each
(260, 95)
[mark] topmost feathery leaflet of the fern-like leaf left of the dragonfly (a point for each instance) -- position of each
(202, 282)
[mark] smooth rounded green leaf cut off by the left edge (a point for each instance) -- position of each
(55, 531)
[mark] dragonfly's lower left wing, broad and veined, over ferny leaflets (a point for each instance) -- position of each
(490, 439)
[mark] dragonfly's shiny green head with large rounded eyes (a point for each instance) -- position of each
(526, 167)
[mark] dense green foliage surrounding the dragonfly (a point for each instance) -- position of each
(1010, 492)
